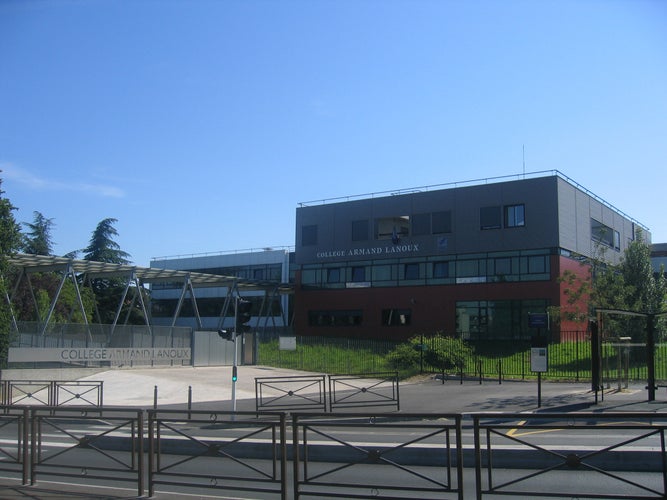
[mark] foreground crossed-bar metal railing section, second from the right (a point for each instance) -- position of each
(384, 456)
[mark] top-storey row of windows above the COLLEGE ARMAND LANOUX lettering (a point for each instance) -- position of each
(422, 224)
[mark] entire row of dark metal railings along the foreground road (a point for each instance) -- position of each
(341, 455)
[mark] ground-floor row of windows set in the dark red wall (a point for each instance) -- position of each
(500, 319)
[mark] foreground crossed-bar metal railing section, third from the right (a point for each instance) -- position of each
(218, 450)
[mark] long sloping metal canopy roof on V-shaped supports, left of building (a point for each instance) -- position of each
(92, 269)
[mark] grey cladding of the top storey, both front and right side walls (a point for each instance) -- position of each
(557, 215)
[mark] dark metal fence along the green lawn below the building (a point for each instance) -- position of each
(622, 361)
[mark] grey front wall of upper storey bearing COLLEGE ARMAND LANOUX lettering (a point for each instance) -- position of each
(334, 222)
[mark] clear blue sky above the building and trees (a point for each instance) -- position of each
(200, 125)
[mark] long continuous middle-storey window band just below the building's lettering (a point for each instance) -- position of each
(501, 267)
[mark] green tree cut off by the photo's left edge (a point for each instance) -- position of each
(10, 242)
